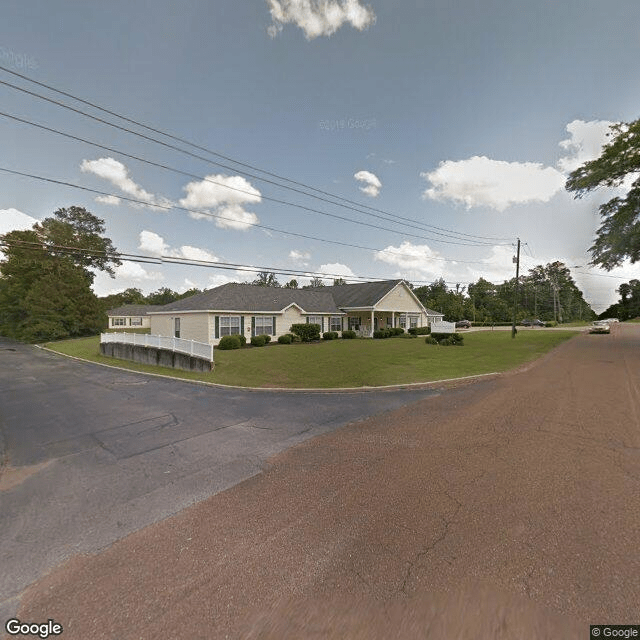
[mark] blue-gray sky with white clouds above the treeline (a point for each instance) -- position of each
(466, 116)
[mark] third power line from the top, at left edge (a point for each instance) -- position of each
(192, 175)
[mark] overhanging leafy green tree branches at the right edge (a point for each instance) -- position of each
(618, 237)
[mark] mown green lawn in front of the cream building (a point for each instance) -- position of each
(352, 363)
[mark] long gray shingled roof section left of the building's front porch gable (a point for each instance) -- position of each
(249, 297)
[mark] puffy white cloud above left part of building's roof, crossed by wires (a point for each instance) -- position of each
(225, 197)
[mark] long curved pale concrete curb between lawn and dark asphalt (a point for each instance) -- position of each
(392, 387)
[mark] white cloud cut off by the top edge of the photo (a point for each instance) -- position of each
(319, 17)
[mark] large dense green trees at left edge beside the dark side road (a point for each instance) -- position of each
(47, 275)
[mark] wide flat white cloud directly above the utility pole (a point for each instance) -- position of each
(480, 181)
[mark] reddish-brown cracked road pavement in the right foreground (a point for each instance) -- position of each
(503, 509)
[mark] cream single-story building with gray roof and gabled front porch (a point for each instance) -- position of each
(254, 310)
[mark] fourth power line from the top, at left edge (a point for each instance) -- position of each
(221, 217)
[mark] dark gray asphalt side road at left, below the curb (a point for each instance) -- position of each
(92, 454)
